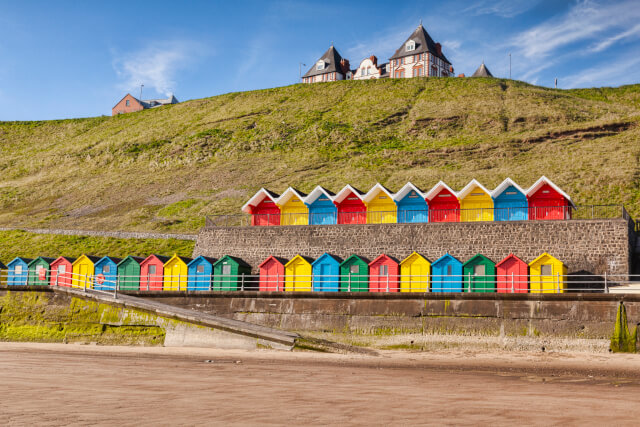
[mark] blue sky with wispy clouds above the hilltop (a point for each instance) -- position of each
(68, 58)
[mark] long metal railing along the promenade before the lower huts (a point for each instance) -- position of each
(432, 283)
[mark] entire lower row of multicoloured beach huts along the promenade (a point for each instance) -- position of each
(326, 273)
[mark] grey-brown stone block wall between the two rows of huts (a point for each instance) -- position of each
(594, 246)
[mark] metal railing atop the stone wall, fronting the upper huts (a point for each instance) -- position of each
(522, 213)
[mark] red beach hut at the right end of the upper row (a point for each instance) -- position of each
(547, 201)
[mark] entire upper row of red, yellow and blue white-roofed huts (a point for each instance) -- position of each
(544, 200)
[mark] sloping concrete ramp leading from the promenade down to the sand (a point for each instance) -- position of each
(193, 328)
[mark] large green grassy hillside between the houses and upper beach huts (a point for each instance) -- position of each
(164, 169)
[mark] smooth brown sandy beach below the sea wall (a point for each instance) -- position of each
(57, 384)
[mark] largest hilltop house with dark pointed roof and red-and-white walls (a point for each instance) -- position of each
(420, 56)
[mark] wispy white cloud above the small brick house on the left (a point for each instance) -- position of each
(156, 65)
